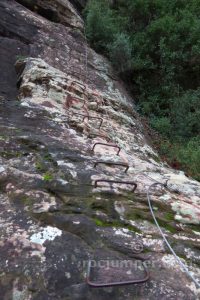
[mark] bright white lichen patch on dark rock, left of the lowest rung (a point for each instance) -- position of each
(48, 233)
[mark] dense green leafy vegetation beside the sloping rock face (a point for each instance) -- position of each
(155, 47)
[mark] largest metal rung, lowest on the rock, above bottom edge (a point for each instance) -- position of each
(117, 283)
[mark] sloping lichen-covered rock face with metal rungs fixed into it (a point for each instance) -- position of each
(53, 218)
